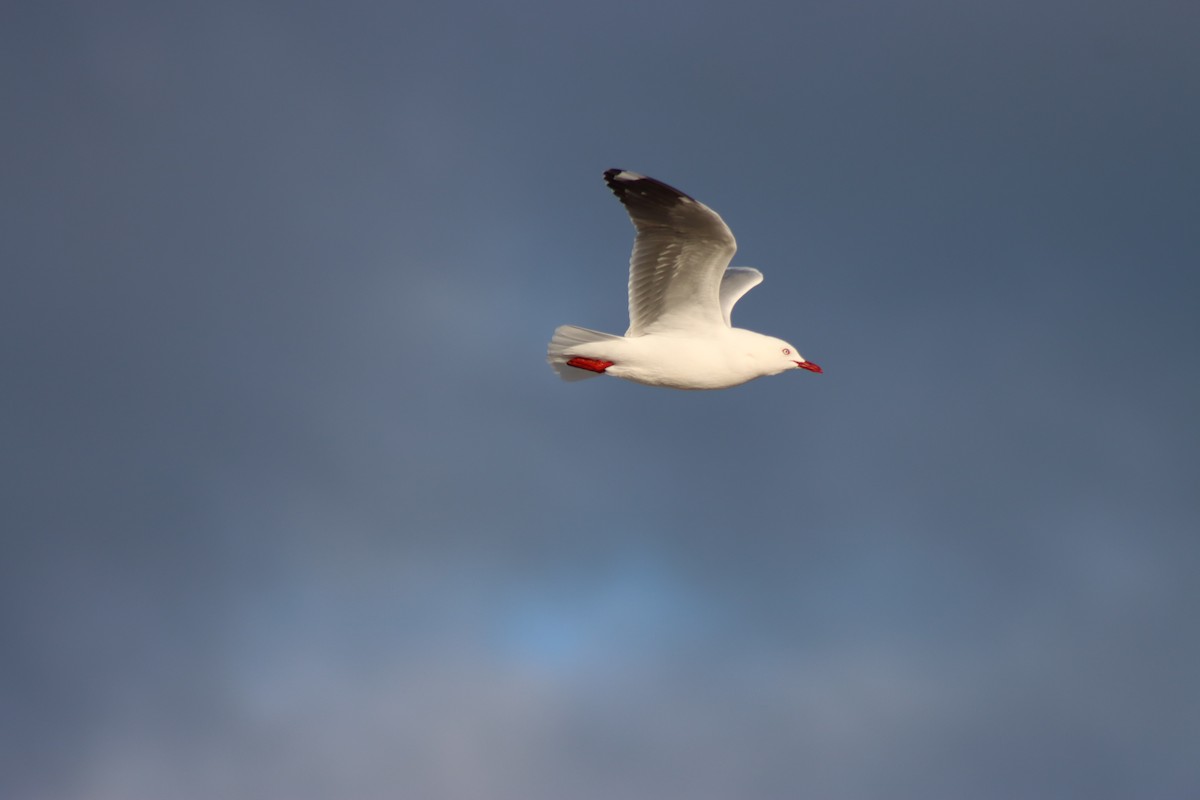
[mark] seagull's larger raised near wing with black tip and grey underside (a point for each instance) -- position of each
(680, 256)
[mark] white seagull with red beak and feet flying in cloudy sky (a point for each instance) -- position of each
(682, 292)
